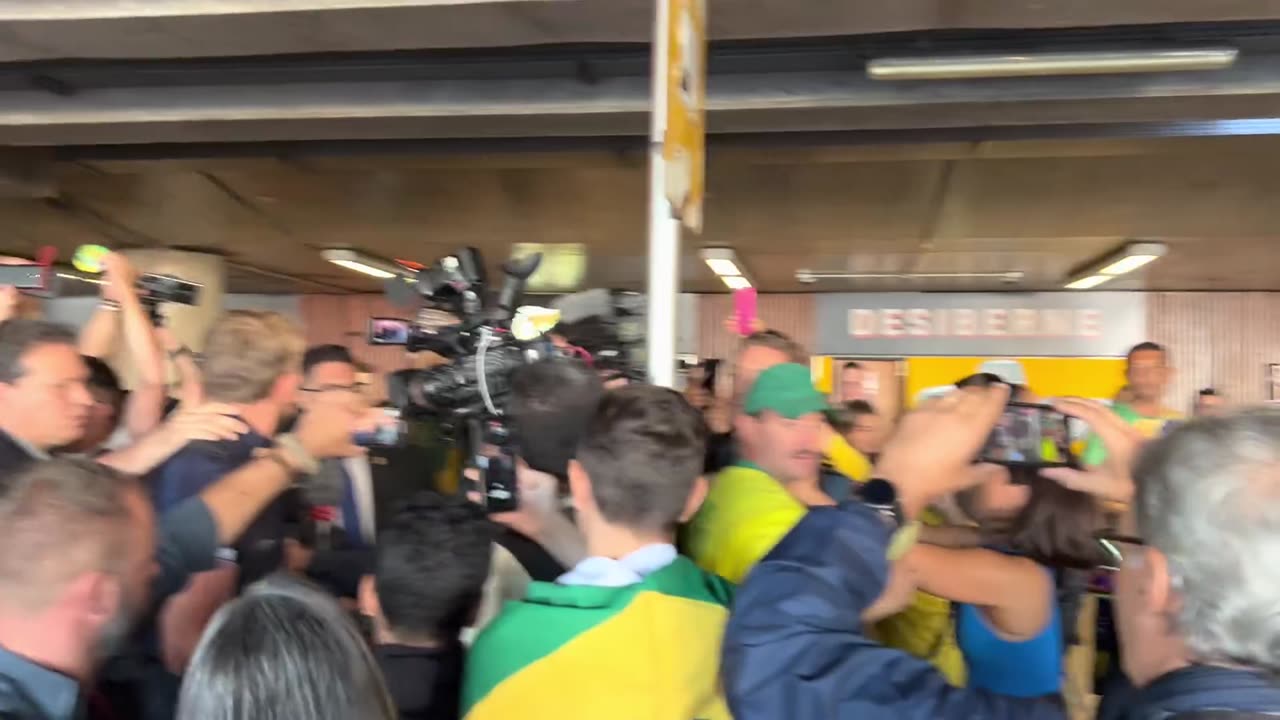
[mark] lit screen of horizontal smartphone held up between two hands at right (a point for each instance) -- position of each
(1031, 436)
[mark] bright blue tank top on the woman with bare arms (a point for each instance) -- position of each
(1031, 668)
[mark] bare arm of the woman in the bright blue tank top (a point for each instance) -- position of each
(1017, 593)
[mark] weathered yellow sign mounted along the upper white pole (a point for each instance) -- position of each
(685, 142)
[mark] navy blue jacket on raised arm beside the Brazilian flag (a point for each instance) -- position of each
(796, 646)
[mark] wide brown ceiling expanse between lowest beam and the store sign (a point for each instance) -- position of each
(1031, 207)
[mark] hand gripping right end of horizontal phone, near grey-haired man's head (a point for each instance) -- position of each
(1113, 481)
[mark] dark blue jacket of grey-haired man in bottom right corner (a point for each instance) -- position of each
(1195, 690)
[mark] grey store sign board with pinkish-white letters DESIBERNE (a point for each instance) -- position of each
(1095, 325)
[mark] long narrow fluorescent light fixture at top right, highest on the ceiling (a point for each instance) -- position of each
(1040, 65)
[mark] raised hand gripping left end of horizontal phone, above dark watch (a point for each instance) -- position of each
(932, 452)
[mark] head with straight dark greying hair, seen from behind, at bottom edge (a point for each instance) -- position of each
(284, 651)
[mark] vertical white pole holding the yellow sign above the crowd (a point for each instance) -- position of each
(664, 230)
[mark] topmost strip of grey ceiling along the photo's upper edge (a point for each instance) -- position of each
(43, 30)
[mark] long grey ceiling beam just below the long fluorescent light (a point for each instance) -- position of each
(619, 107)
